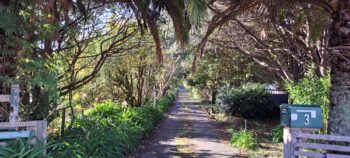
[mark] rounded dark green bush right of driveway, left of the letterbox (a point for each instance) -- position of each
(249, 101)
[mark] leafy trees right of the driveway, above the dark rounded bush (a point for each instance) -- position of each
(222, 67)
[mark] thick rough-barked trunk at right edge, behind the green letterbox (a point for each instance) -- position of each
(339, 120)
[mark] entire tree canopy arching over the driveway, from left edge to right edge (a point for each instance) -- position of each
(135, 50)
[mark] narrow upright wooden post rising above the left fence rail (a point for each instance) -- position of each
(14, 103)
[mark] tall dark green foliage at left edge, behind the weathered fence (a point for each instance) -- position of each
(24, 64)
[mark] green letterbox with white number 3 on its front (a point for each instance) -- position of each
(301, 116)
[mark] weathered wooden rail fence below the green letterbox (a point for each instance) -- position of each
(296, 141)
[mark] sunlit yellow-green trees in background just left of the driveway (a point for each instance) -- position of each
(135, 77)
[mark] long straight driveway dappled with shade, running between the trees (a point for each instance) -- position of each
(187, 132)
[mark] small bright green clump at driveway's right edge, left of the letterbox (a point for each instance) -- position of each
(244, 140)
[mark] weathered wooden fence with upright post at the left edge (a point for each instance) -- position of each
(16, 129)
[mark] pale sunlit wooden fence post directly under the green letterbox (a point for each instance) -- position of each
(288, 143)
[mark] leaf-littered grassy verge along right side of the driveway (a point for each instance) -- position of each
(263, 128)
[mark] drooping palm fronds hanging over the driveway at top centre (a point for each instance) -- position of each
(183, 14)
